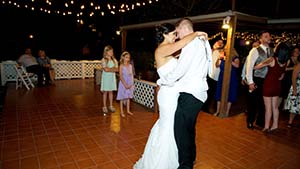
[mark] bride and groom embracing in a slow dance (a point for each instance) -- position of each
(183, 90)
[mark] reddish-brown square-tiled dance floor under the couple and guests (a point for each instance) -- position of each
(61, 127)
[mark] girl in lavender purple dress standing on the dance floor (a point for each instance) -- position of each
(126, 84)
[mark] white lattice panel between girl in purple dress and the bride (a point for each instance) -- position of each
(144, 93)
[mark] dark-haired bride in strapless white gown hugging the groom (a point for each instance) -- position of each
(161, 150)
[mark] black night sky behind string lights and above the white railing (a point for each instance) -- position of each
(63, 38)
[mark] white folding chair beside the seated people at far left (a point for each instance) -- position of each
(23, 77)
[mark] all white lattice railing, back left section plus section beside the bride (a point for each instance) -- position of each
(144, 92)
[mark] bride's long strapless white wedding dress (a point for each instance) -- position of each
(161, 150)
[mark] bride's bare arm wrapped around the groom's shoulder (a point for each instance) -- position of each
(169, 49)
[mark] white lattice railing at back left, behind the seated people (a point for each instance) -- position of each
(63, 69)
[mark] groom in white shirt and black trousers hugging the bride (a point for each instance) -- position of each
(190, 78)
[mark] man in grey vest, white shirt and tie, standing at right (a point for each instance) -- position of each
(255, 80)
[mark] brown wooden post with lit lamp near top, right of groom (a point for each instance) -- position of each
(227, 69)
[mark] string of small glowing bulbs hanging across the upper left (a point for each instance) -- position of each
(76, 7)
